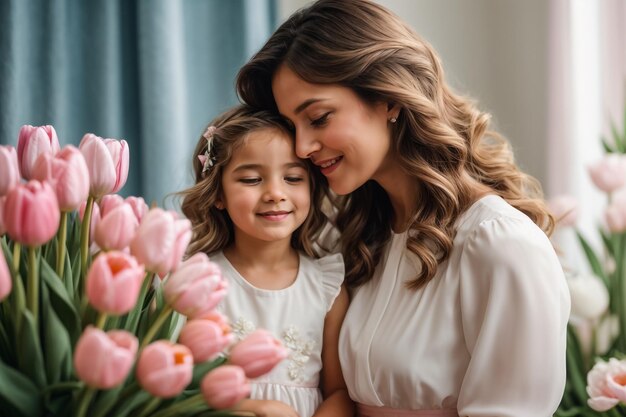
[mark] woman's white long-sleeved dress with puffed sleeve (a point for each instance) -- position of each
(485, 337)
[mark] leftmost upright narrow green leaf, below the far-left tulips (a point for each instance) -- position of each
(29, 355)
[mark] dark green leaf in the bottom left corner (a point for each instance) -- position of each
(18, 395)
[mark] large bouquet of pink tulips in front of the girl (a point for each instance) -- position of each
(99, 313)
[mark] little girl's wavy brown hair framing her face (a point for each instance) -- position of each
(212, 227)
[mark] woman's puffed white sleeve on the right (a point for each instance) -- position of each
(514, 306)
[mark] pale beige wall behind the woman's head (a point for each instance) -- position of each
(495, 51)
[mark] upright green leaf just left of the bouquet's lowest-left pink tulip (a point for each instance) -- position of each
(57, 346)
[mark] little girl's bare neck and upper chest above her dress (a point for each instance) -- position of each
(269, 265)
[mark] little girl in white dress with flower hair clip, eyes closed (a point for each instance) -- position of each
(255, 211)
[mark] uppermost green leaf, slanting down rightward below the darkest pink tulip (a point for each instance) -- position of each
(60, 301)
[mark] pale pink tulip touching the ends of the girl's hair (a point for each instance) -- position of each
(161, 241)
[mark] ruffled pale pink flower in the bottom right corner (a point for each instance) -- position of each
(603, 384)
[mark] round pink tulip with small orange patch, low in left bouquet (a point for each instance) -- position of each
(164, 369)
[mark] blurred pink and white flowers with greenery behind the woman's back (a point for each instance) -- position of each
(596, 350)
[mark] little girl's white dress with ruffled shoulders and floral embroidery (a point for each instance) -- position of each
(295, 315)
